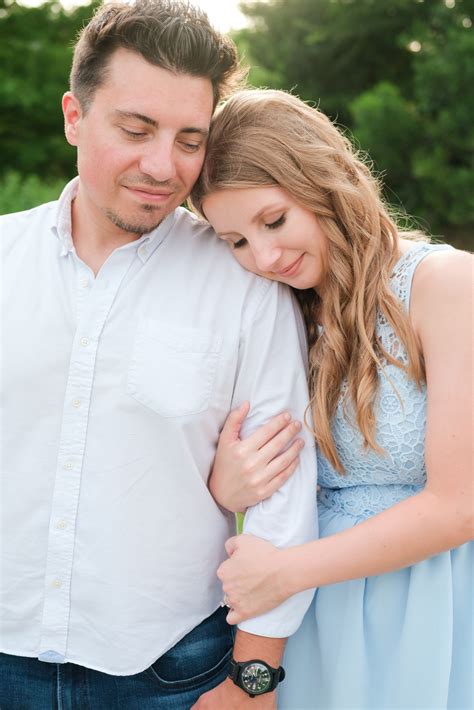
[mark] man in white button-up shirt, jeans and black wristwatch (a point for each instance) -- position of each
(128, 334)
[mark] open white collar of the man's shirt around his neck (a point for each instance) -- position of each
(62, 226)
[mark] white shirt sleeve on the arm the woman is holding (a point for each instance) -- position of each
(272, 376)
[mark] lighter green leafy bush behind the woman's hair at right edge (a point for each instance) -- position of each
(425, 142)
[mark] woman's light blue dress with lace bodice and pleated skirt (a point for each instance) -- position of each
(398, 640)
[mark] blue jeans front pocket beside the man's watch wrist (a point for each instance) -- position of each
(200, 656)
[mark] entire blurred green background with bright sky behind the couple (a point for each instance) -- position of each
(398, 75)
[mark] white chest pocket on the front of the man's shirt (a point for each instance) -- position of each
(172, 370)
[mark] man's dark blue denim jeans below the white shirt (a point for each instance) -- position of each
(174, 682)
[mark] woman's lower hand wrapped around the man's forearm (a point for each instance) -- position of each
(252, 578)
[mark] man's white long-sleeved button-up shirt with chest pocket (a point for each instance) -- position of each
(114, 390)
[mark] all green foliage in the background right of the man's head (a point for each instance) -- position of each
(398, 74)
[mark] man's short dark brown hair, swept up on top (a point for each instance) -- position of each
(171, 34)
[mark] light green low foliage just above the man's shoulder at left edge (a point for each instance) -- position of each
(19, 193)
